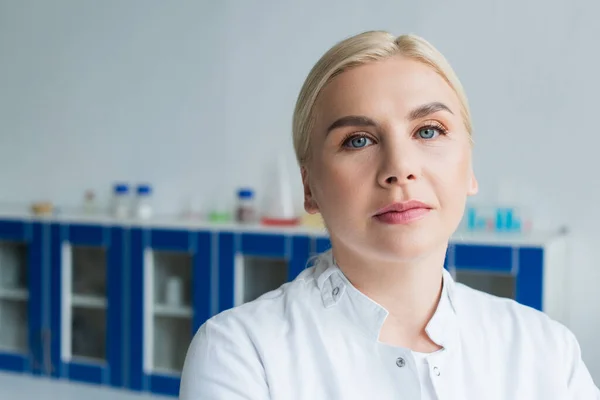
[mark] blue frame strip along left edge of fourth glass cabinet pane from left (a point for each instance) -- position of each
(226, 262)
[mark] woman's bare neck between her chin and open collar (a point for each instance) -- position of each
(409, 290)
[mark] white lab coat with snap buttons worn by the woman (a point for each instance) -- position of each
(317, 338)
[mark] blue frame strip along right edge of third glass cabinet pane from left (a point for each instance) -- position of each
(201, 276)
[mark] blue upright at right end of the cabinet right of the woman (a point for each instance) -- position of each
(530, 277)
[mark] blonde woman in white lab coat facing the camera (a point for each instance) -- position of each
(382, 133)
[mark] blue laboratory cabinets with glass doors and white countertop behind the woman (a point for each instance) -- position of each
(117, 302)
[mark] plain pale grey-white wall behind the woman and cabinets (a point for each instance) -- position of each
(197, 97)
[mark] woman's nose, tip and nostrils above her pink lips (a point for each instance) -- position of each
(399, 166)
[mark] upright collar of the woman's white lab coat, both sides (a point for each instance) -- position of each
(337, 291)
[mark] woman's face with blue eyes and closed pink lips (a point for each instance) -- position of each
(390, 162)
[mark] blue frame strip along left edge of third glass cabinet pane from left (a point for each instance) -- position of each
(136, 343)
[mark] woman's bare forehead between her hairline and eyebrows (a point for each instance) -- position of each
(382, 89)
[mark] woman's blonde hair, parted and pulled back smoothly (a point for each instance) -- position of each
(359, 50)
